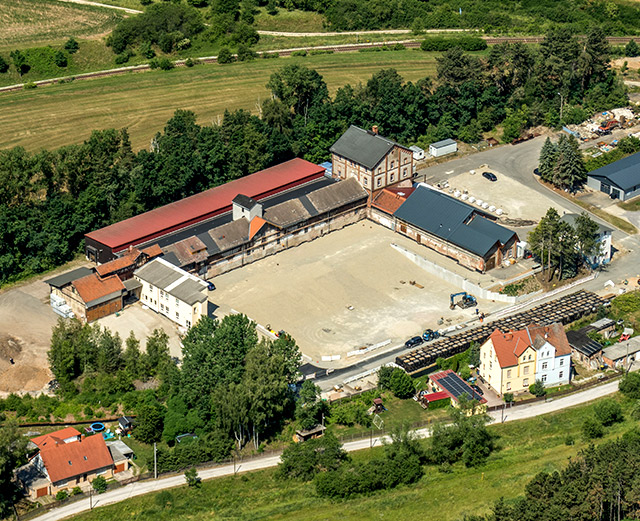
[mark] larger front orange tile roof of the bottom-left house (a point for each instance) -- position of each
(66, 460)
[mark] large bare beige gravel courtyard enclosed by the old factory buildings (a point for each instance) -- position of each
(341, 292)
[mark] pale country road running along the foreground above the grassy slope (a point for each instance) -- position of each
(144, 487)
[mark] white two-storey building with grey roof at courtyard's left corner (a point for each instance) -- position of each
(172, 292)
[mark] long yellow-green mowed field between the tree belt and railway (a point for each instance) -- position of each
(52, 116)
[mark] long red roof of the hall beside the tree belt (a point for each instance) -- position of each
(207, 204)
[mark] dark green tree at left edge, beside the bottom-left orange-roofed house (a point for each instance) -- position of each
(13, 448)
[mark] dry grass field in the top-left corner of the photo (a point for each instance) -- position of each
(27, 23)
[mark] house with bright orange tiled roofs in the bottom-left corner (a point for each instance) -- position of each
(65, 459)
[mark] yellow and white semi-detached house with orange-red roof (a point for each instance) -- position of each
(511, 361)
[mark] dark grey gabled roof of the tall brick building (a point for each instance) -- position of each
(363, 147)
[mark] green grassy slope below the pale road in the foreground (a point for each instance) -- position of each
(526, 448)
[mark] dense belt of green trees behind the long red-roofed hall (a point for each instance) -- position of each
(53, 197)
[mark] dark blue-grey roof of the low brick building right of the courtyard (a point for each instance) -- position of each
(452, 220)
